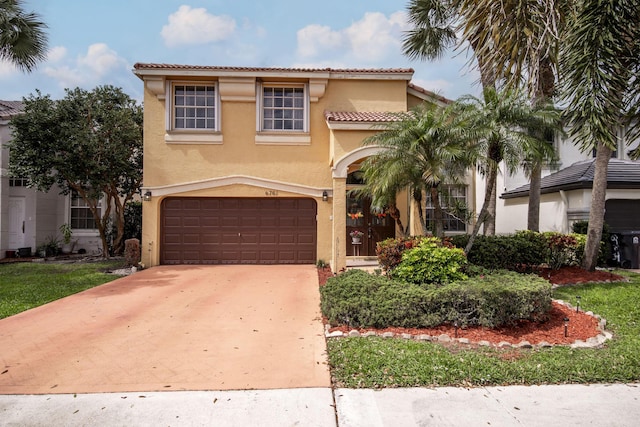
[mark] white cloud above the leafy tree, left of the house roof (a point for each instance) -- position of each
(89, 69)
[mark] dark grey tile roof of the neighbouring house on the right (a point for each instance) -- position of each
(621, 174)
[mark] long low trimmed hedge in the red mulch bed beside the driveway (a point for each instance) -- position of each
(358, 299)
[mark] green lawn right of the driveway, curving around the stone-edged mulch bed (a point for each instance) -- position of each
(378, 362)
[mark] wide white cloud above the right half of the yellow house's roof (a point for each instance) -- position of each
(372, 39)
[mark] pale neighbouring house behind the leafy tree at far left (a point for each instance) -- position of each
(29, 218)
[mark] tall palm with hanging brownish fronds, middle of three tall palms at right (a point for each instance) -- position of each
(521, 39)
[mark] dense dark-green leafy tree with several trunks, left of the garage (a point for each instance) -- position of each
(88, 142)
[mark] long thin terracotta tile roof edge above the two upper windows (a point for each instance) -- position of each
(151, 66)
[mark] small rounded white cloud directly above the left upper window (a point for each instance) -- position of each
(196, 26)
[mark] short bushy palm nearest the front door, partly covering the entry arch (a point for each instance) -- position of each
(422, 149)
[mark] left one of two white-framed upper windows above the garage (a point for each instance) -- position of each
(194, 107)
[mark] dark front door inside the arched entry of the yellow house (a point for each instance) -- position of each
(371, 227)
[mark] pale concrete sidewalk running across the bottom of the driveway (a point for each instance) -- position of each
(548, 406)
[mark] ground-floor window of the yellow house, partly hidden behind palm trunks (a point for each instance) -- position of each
(453, 199)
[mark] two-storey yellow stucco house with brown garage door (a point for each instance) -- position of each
(254, 165)
